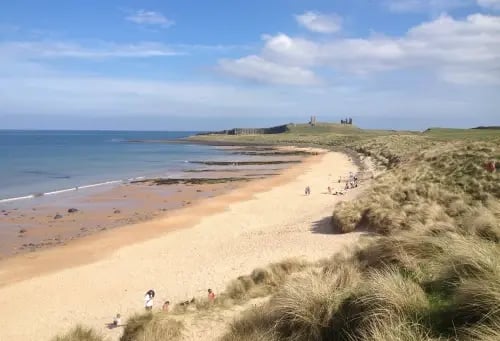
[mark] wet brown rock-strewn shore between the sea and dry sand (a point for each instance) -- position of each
(52, 221)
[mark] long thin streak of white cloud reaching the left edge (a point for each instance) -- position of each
(64, 49)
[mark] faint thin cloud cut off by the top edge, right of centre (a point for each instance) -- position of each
(433, 6)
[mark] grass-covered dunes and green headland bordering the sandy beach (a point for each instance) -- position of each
(429, 269)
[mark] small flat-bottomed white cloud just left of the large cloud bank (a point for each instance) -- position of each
(258, 69)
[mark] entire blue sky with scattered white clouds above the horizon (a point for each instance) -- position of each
(183, 65)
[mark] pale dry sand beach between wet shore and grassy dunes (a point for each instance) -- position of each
(91, 280)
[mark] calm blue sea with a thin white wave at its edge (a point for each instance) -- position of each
(40, 163)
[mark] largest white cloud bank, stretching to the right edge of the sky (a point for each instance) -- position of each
(469, 47)
